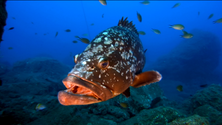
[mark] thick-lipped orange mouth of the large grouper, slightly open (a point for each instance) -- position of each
(81, 92)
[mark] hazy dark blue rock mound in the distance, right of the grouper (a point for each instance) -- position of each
(192, 59)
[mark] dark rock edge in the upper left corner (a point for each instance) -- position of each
(3, 17)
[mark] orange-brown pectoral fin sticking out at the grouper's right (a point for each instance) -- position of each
(146, 78)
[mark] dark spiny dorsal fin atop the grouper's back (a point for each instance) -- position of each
(128, 25)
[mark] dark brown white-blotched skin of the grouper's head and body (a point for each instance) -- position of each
(124, 51)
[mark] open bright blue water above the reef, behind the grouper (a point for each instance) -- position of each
(52, 16)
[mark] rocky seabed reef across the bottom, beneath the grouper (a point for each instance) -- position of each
(37, 80)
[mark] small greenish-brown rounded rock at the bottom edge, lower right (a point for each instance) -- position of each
(192, 120)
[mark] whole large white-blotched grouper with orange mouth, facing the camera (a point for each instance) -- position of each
(110, 64)
